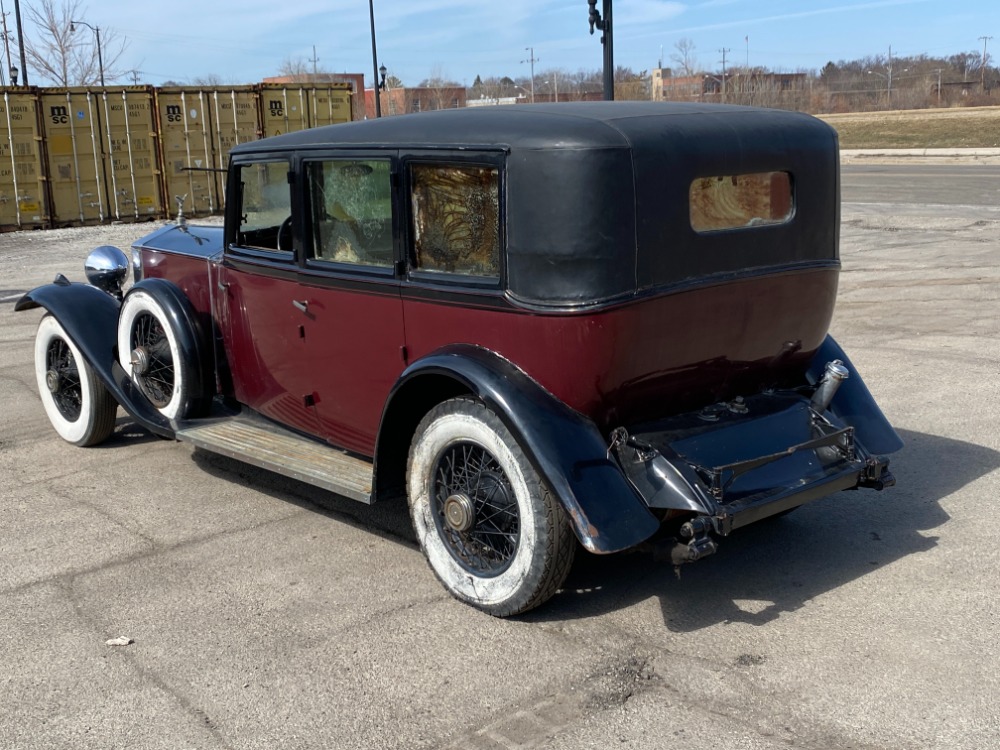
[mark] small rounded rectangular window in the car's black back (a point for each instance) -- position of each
(740, 201)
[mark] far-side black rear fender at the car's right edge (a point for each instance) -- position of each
(853, 403)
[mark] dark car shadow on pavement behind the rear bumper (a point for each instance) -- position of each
(779, 565)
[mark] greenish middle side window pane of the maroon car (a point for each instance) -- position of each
(351, 211)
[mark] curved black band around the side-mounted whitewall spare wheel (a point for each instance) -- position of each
(191, 339)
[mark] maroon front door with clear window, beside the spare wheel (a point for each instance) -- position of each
(261, 307)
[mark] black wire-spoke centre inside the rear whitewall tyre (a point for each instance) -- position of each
(475, 509)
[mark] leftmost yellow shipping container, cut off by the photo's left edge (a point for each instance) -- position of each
(23, 201)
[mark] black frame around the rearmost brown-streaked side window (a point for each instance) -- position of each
(491, 159)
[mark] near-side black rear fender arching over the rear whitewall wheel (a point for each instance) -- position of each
(565, 447)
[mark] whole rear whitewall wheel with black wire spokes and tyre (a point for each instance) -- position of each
(490, 528)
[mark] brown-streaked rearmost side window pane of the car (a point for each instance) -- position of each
(456, 218)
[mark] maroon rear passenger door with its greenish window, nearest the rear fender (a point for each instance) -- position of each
(349, 281)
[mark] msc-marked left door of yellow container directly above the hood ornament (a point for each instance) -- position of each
(186, 148)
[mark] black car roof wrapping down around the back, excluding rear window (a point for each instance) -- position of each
(597, 193)
